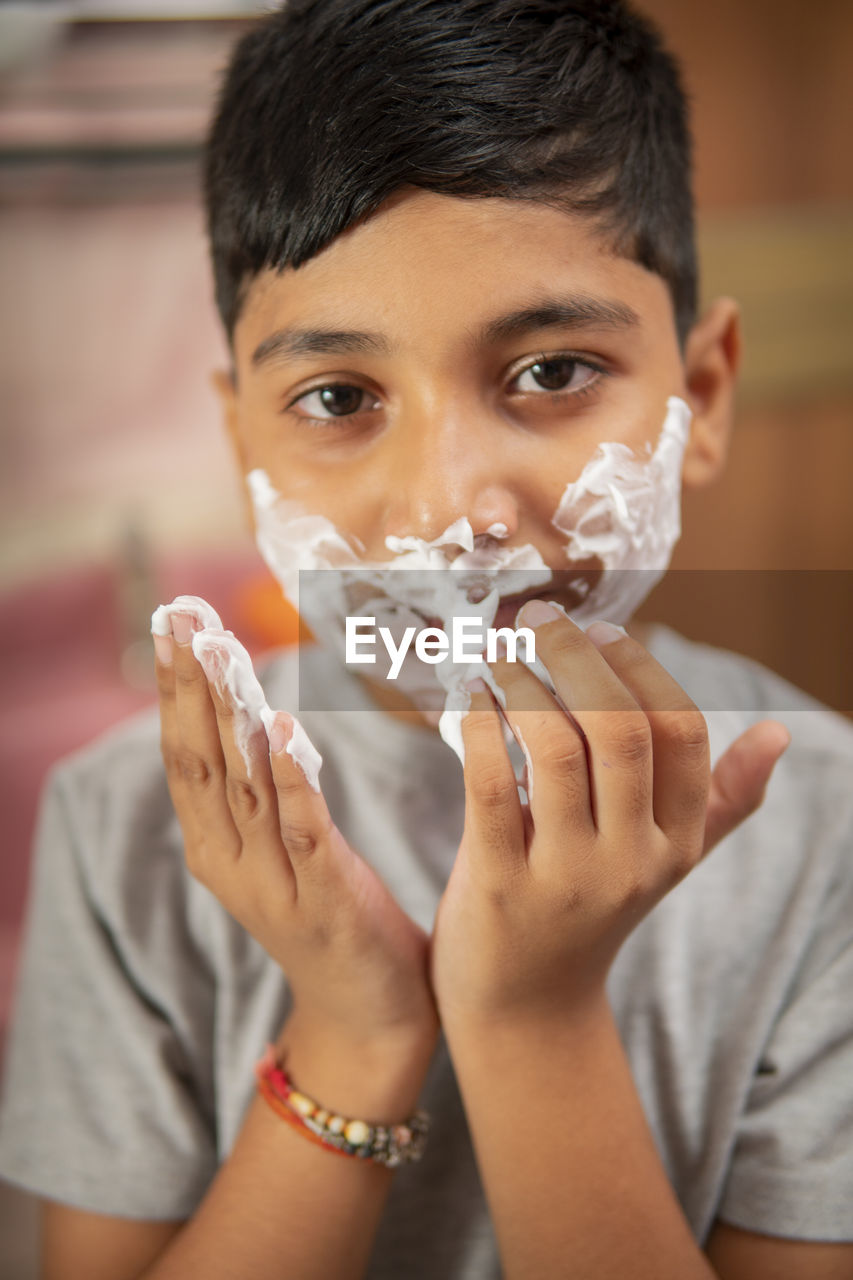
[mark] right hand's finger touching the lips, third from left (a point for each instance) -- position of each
(619, 740)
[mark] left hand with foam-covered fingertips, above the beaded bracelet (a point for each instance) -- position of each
(262, 840)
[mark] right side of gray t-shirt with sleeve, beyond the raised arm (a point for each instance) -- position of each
(733, 994)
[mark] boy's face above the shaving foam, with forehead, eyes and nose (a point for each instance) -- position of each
(451, 358)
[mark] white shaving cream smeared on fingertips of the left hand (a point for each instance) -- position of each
(230, 668)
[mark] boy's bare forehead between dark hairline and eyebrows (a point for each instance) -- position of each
(426, 262)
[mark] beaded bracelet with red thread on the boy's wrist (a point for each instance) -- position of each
(386, 1145)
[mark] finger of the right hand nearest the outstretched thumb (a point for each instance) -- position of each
(679, 737)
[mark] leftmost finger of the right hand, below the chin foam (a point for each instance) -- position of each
(494, 820)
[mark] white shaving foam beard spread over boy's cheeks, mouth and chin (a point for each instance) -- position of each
(623, 514)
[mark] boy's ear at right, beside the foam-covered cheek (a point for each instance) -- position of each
(711, 362)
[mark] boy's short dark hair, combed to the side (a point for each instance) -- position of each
(330, 107)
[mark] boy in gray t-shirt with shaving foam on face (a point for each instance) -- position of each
(453, 245)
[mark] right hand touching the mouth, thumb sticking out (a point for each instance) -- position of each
(623, 807)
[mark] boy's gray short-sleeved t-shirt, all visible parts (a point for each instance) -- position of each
(143, 1005)
